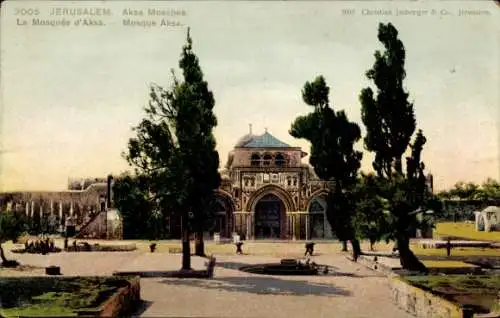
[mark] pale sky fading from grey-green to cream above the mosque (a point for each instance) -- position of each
(70, 95)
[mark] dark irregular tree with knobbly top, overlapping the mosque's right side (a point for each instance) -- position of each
(332, 137)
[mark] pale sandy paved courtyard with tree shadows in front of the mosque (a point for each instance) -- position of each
(351, 291)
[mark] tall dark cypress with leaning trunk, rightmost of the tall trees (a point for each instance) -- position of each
(390, 124)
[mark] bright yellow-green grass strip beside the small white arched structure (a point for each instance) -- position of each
(465, 231)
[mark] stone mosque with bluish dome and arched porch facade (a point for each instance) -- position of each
(267, 192)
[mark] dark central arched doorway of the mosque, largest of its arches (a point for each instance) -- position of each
(269, 217)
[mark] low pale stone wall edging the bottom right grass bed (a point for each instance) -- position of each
(421, 303)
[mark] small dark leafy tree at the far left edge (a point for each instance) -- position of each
(12, 225)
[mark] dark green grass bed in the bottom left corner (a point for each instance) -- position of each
(50, 296)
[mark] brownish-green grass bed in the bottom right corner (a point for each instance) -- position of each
(480, 292)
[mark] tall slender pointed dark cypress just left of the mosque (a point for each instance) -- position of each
(197, 141)
